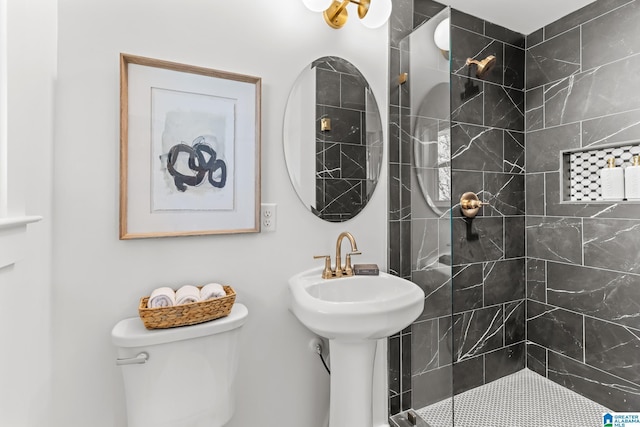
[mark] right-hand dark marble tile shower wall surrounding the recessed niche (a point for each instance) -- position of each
(583, 268)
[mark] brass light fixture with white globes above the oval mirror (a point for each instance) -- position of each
(372, 13)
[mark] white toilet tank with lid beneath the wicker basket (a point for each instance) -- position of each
(179, 377)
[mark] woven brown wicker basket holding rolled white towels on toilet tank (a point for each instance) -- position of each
(186, 314)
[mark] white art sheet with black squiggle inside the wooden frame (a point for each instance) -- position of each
(192, 151)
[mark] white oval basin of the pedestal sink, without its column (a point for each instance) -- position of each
(356, 307)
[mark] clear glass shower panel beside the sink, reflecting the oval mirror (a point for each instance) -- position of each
(425, 121)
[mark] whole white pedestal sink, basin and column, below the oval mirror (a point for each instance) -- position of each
(353, 313)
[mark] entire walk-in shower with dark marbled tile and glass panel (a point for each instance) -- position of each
(531, 315)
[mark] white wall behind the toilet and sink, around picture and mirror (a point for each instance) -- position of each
(98, 279)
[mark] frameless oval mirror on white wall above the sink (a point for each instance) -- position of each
(333, 140)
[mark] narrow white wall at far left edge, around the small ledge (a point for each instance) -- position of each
(25, 288)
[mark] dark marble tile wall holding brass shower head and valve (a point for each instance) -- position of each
(488, 158)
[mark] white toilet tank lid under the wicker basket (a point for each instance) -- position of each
(132, 333)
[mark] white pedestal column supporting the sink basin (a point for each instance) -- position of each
(351, 383)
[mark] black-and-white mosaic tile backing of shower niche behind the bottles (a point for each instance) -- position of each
(582, 170)
